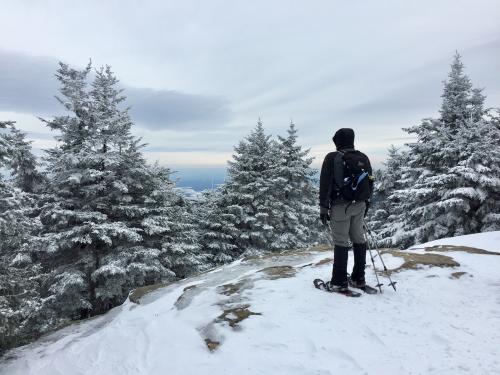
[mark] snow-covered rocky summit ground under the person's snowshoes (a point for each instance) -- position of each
(442, 320)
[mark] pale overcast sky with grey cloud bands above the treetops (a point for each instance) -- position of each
(198, 74)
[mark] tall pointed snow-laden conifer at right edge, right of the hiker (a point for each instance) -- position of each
(449, 177)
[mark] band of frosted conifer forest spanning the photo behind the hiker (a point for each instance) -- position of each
(90, 220)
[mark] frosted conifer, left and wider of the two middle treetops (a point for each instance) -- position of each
(245, 211)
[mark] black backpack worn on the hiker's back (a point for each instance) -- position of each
(357, 182)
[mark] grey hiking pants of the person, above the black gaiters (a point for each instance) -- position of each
(346, 221)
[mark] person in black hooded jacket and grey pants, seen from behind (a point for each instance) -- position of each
(346, 184)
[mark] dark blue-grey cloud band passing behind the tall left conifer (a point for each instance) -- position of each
(28, 85)
